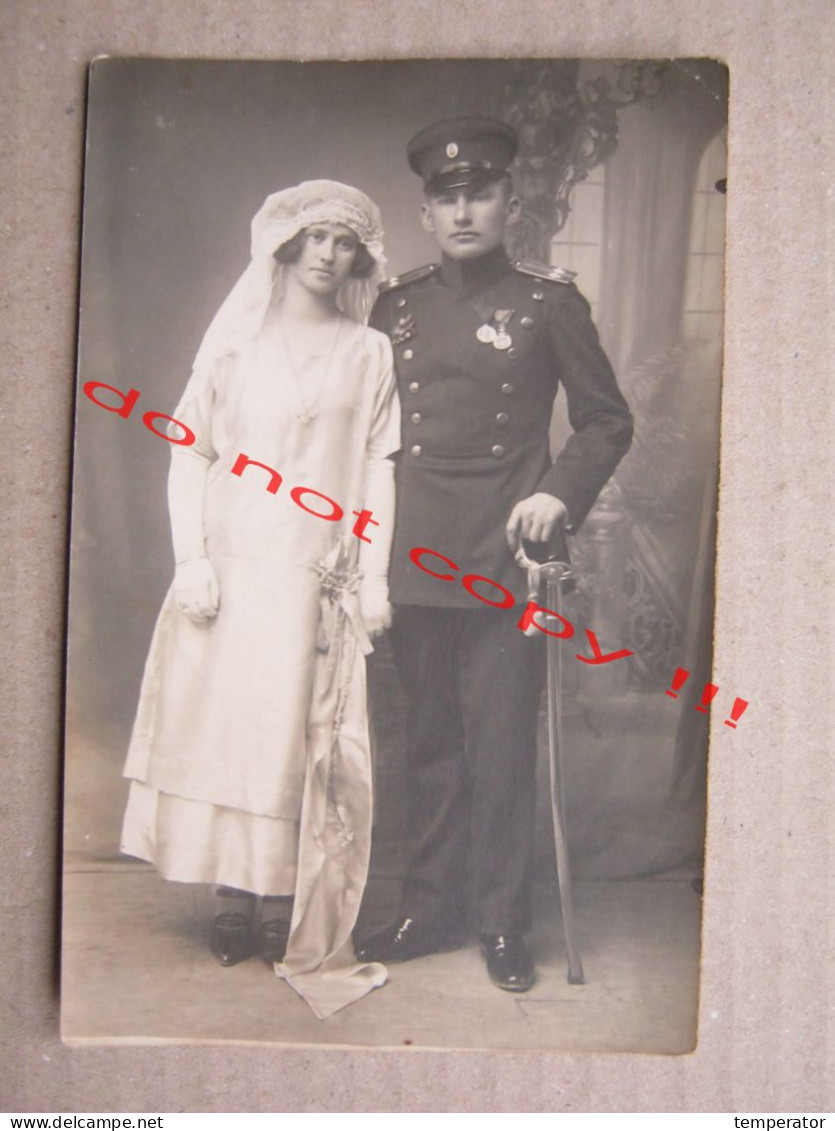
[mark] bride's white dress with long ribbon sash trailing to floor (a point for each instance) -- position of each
(249, 757)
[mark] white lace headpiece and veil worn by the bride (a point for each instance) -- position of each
(282, 217)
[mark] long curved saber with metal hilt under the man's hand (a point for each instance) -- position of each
(557, 576)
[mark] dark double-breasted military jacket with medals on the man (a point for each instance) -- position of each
(477, 416)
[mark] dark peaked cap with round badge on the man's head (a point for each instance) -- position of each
(462, 152)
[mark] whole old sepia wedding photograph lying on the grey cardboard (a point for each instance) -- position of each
(392, 568)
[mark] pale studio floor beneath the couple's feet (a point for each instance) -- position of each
(136, 969)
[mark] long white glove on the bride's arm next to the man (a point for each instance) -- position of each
(375, 555)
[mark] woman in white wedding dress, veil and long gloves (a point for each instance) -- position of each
(249, 761)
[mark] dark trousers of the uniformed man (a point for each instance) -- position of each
(474, 684)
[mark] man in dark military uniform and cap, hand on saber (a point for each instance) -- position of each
(481, 344)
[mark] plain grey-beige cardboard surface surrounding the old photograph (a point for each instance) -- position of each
(768, 973)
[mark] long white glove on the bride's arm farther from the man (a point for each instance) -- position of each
(197, 591)
